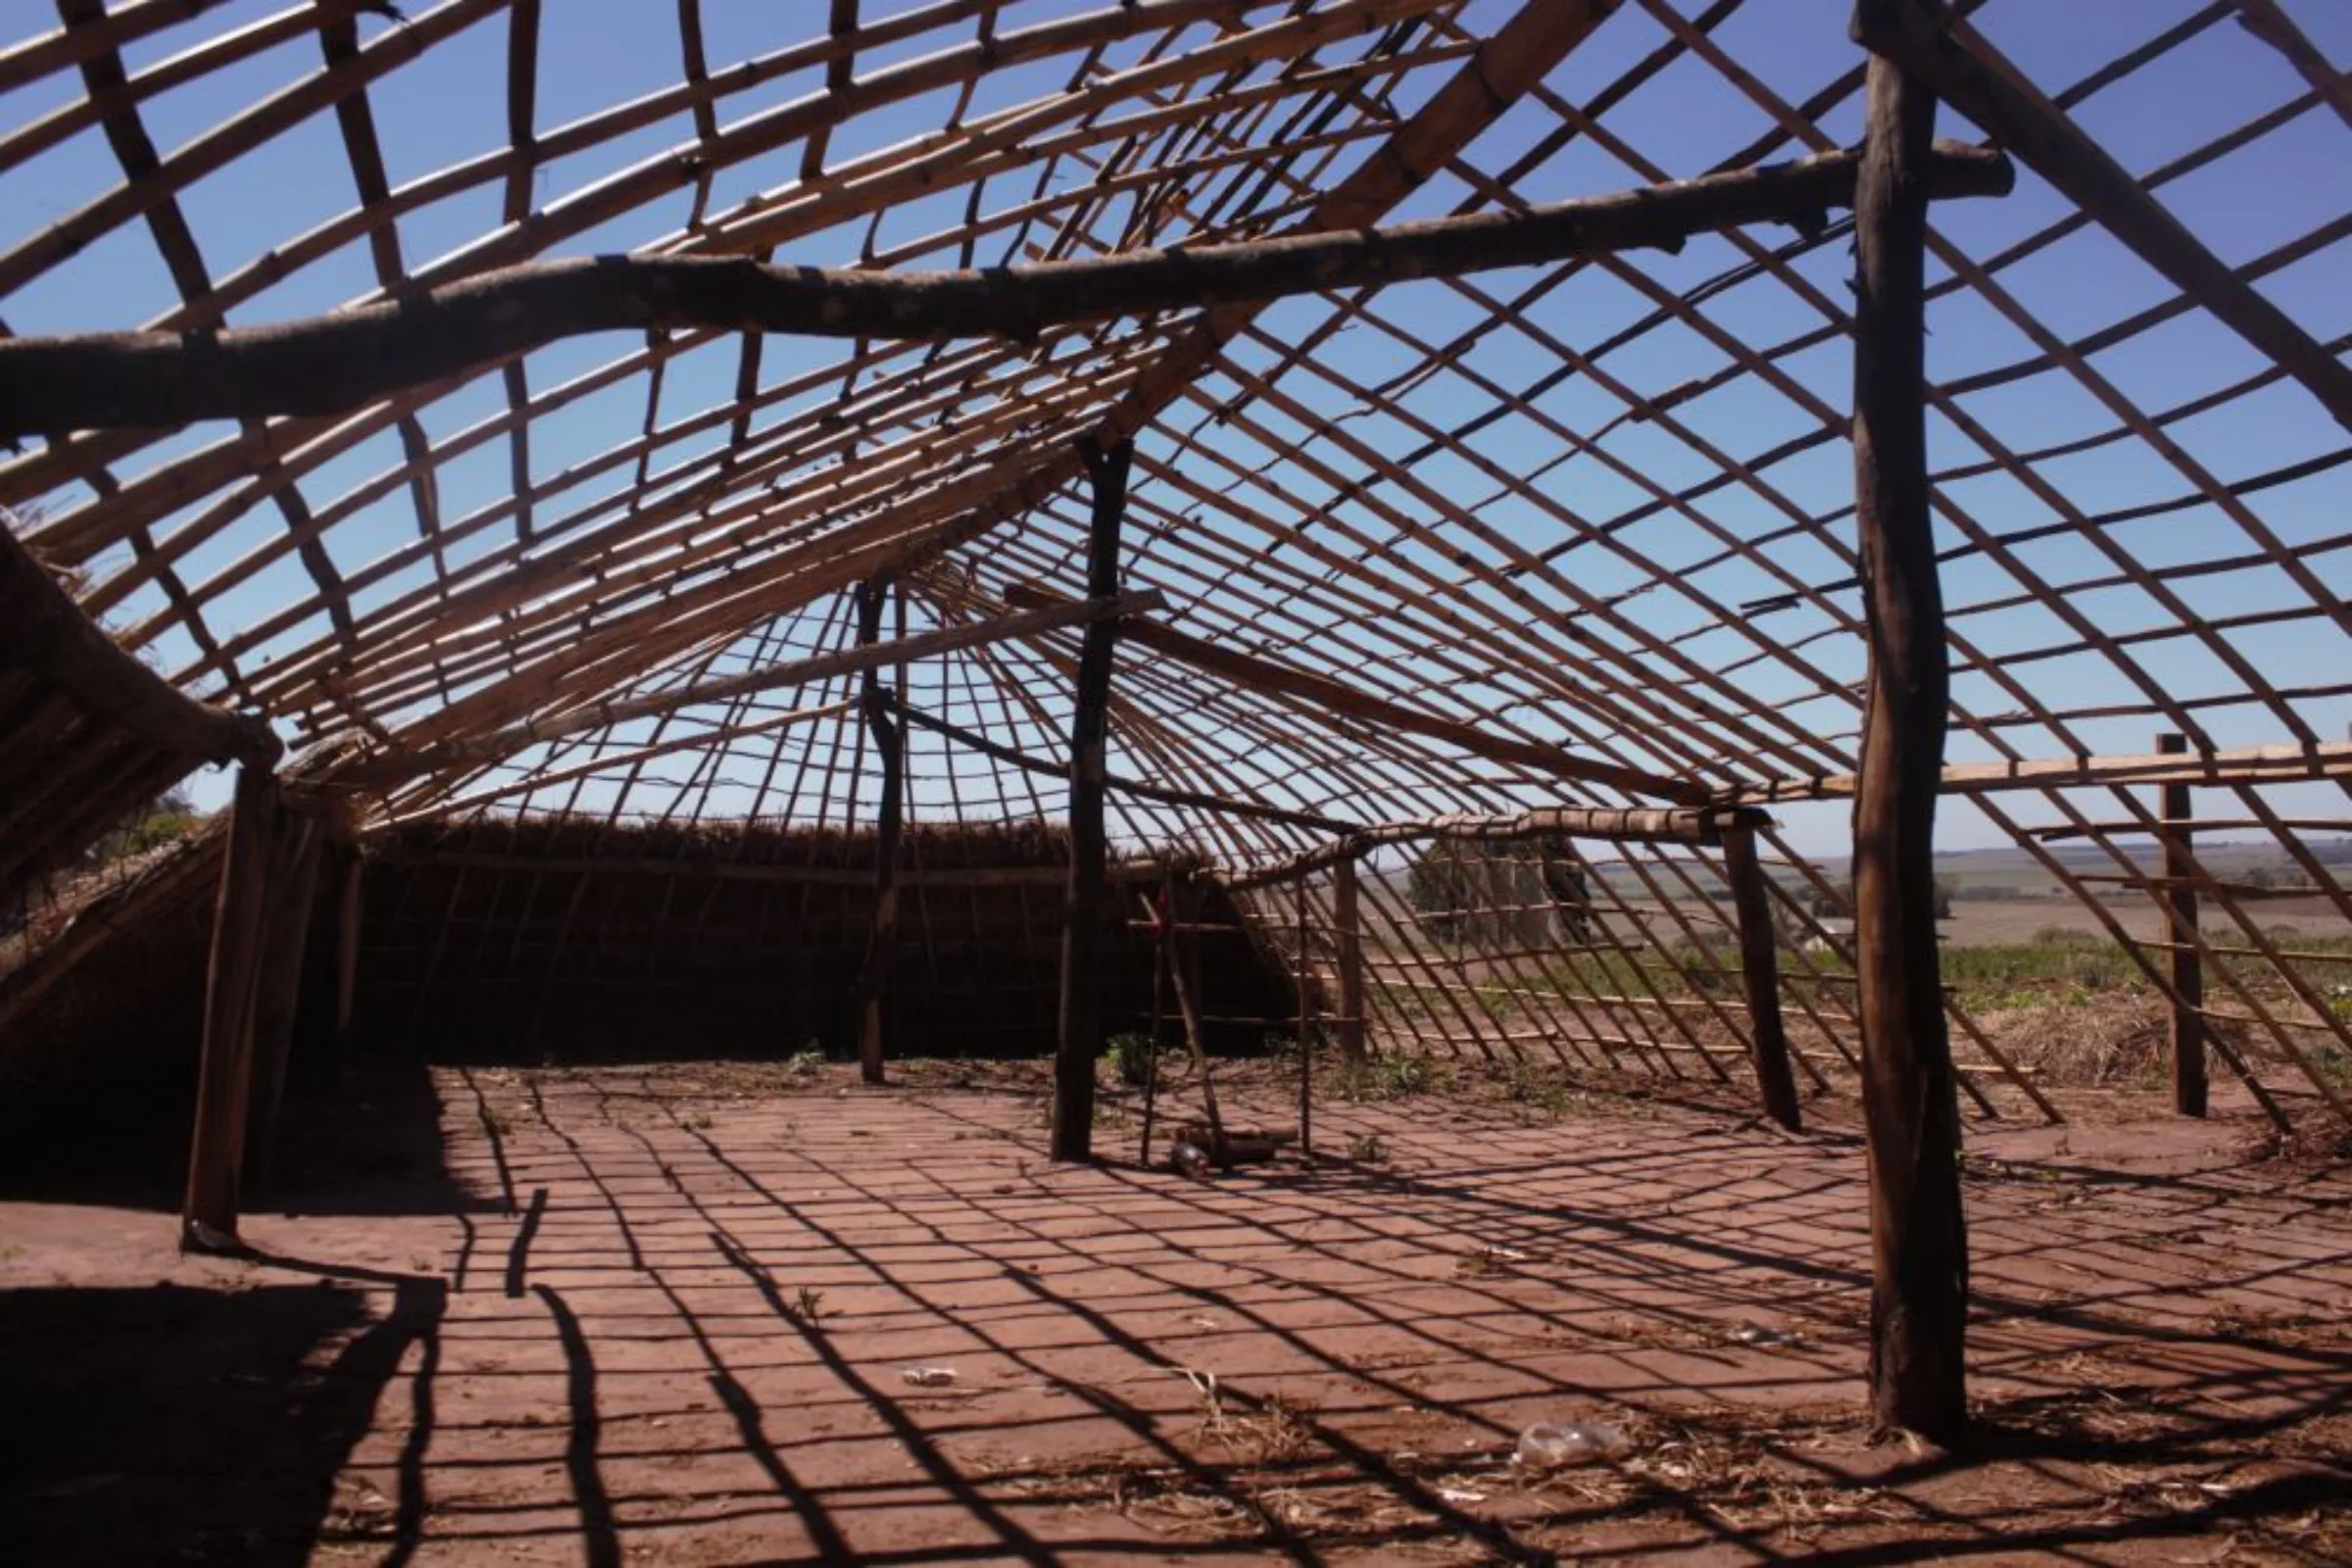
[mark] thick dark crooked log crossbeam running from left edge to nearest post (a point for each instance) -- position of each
(347, 359)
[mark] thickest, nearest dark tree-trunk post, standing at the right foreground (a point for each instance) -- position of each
(1911, 1106)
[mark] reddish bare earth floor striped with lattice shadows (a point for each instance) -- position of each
(667, 1318)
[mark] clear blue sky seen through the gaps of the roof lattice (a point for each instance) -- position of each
(599, 53)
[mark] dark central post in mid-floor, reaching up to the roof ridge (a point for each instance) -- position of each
(1081, 1036)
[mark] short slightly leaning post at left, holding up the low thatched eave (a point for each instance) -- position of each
(225, 1076)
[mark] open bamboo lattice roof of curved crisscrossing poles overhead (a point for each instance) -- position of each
(1323, 544)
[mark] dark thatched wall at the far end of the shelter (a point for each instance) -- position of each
(559, 939)
